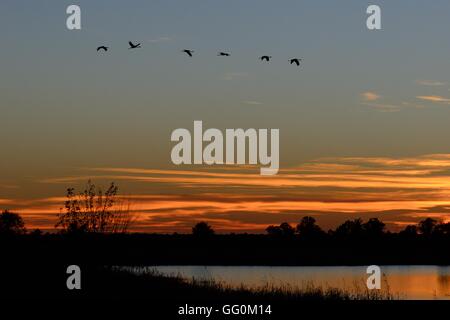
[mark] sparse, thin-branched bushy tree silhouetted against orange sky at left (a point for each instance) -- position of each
(94, 211)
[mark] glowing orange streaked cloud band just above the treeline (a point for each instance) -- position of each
(398, 190)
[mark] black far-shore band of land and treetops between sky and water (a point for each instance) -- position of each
(352, 243)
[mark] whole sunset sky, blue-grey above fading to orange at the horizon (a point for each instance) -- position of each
(363, 122)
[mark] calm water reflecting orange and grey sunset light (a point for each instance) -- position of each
(409, 282)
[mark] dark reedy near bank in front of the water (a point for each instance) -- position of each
(49, 281)
